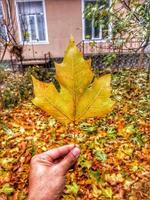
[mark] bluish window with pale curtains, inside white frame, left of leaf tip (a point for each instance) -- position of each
(32, 21)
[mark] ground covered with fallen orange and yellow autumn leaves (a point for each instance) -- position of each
(115, 151)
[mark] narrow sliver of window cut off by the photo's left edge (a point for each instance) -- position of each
(2, 26)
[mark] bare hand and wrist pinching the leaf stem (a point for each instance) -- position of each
(48, 170)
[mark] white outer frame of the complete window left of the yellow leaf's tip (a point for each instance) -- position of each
(19, 27)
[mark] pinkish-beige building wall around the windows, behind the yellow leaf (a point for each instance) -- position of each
(63, 19)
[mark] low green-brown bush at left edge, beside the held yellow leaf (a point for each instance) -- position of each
(18, 87)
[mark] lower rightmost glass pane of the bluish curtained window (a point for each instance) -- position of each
(41, 27)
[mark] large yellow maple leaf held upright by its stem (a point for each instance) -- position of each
(79, 97)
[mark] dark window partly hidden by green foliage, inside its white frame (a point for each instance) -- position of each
(93, 30)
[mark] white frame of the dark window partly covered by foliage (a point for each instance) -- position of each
(100, 39)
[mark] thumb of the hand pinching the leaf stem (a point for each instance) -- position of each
(69, 160)
